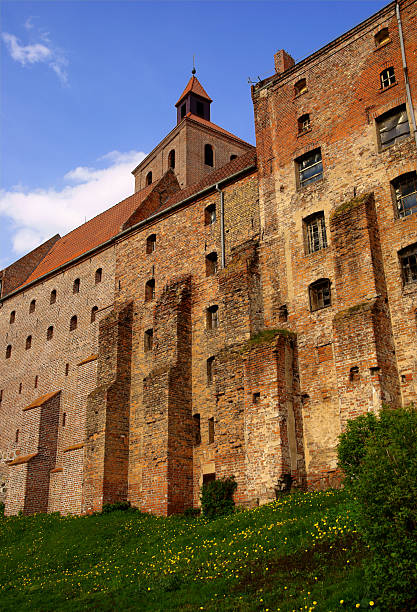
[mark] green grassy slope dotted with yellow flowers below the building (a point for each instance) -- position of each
(299, 553)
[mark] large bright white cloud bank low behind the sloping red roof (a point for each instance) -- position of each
(39, 214)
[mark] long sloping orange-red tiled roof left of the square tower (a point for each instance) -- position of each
(89, 235)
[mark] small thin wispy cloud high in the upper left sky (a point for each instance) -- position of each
(38, 52)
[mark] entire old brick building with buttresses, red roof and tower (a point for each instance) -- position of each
(238, 308)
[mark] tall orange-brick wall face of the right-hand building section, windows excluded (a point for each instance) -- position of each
(361, 261)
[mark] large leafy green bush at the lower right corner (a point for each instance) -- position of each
(385, 485)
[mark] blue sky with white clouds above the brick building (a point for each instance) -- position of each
(89, 87)
